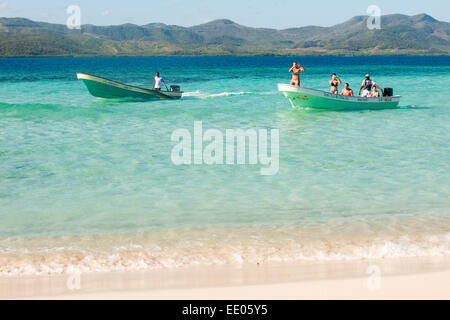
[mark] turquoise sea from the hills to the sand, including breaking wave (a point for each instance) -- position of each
(88, 184)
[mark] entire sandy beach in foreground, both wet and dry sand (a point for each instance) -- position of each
(404, 278)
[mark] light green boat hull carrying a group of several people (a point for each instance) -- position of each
(301, 97)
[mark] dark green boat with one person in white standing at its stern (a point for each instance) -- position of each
(108, 89)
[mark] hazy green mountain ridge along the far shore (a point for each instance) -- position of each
(400, 35)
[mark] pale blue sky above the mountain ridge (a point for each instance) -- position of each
(256, 13)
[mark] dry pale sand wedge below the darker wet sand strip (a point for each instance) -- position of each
(420, 286)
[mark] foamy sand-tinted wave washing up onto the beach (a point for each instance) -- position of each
(123, 253)
